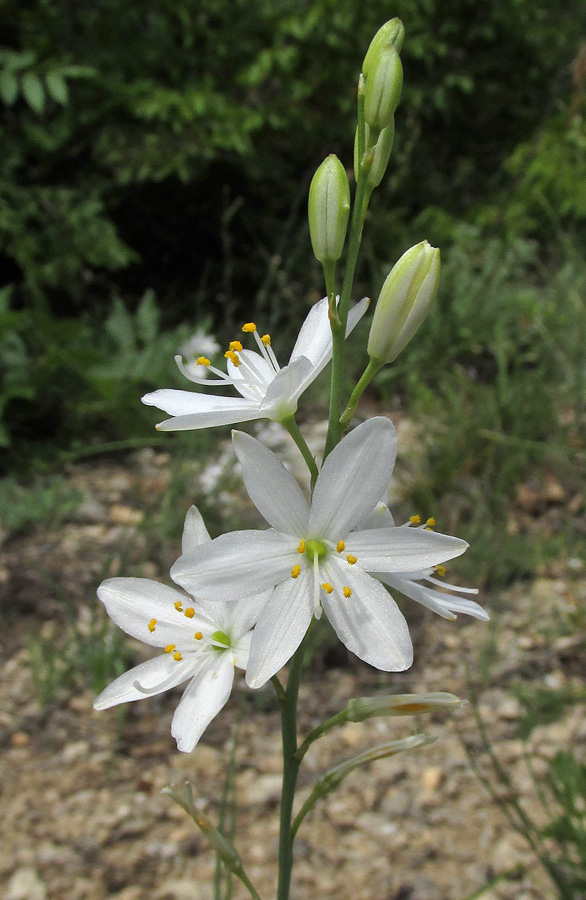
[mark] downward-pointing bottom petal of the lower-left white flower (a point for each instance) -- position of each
(202, 700)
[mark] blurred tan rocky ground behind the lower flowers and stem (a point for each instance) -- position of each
(83, 817)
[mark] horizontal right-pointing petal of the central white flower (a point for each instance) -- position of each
(402, 549)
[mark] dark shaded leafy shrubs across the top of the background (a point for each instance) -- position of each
(128, 129)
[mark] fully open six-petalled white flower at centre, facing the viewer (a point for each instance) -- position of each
(313, 559)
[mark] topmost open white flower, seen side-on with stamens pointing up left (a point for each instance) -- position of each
(267, 391)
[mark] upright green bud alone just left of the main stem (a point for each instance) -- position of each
(329, 208)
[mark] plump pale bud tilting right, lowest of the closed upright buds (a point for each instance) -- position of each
(404, 301)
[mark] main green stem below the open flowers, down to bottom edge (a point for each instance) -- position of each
(290, 771)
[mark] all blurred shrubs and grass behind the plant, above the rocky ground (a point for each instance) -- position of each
(154, 165)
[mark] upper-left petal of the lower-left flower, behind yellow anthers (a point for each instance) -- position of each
(134, 602)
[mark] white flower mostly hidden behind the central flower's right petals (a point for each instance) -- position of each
(415, 585)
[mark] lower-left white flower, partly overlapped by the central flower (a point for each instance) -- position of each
(203, 642)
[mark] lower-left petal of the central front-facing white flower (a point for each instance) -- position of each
(281, 628)
